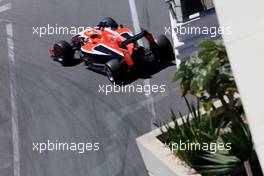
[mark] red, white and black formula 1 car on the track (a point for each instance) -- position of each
(113, 49)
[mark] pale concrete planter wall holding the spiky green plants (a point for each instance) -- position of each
(158, 160)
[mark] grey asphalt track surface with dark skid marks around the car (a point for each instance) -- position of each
(63, 103)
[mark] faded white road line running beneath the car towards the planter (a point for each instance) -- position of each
(136, 24)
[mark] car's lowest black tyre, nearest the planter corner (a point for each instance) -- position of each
(113, 71)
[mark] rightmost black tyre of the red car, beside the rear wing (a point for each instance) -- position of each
(165, 51)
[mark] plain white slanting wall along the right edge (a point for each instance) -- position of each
(245, 48)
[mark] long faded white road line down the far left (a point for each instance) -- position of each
(14, 114)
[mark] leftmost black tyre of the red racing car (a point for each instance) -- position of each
(64, 51)
